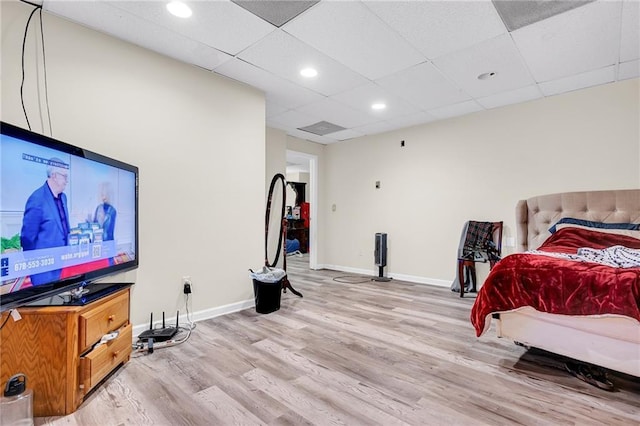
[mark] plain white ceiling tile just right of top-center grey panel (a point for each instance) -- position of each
(350, 33)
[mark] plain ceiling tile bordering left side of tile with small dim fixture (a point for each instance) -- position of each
(424, 86)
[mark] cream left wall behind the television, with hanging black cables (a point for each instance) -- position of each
(185, 128)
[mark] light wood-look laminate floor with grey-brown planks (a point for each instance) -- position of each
(368, 353)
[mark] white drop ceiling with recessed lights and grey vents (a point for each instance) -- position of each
(422, 58)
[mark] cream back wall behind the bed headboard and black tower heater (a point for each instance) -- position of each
(471, 168)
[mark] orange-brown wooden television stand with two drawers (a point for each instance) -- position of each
(54, 347)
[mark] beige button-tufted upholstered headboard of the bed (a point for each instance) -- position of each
(535, 216)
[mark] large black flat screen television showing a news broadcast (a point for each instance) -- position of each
(68, 216)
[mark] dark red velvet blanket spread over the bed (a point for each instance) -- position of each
(561, 286)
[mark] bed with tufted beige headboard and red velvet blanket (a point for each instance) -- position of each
(592, 323)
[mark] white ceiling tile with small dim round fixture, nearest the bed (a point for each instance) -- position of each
(497, 55)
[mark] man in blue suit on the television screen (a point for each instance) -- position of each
(46, 217)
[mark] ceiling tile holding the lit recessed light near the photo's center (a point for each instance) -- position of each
(284, 55)
